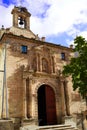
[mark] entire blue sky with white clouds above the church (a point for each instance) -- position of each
(60, 21)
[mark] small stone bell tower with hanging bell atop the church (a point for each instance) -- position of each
(21, 17)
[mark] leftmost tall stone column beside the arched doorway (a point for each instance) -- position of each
(24, 99)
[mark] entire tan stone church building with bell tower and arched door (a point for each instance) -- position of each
(32, 86)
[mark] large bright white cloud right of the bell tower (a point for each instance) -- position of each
(60, 17)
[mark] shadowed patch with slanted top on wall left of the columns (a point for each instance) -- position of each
(15, 88)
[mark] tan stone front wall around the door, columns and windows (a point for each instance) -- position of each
(20, 66)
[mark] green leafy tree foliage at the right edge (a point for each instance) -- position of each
(78, 66)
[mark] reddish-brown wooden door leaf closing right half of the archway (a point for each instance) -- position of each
(50, 106)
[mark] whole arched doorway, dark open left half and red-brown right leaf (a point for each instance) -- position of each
(46, 106)
